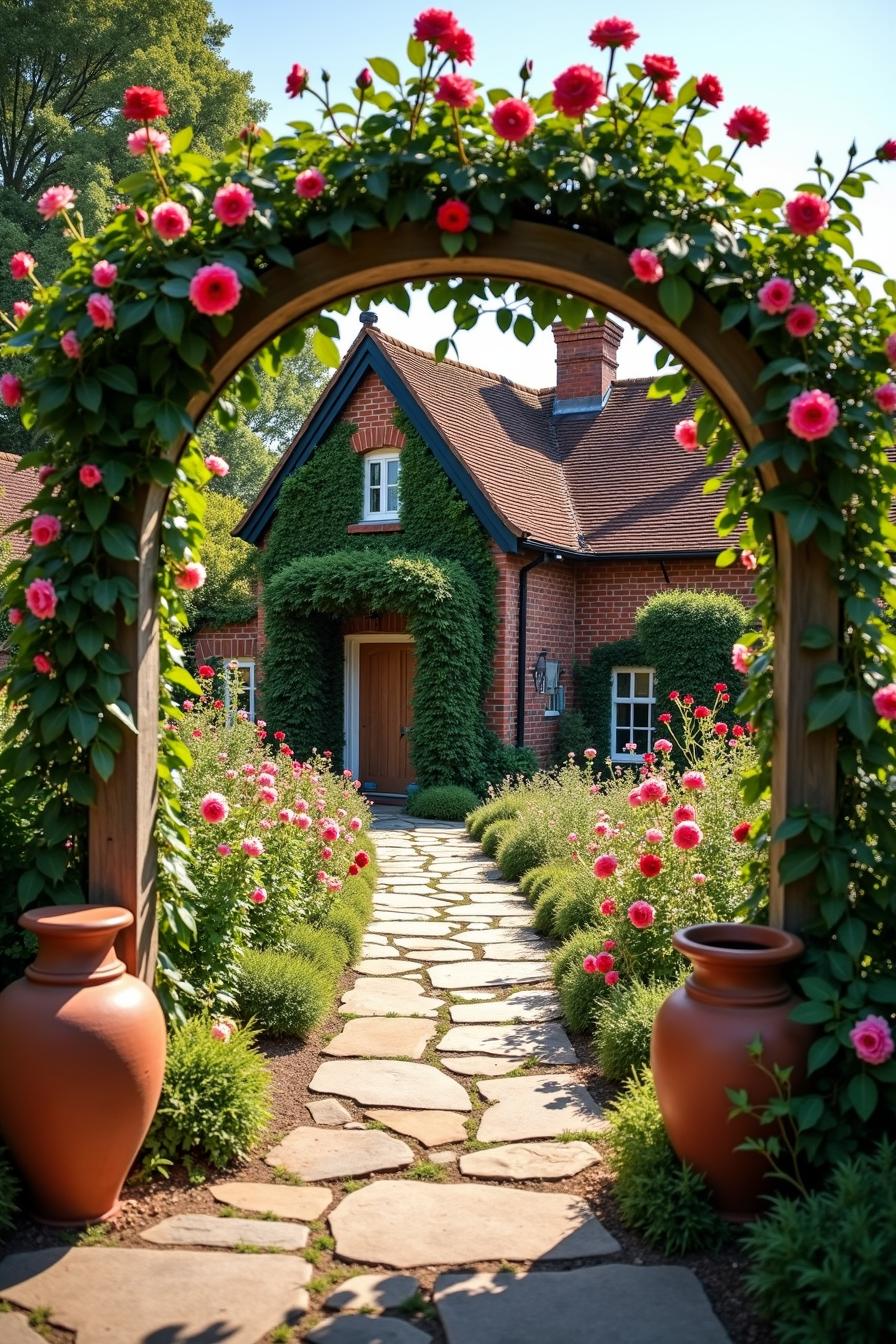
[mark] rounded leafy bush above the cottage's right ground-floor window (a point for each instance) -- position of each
(688, 639)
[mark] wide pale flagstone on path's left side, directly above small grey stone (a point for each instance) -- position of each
(392, 1083)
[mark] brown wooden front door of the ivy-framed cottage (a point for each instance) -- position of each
(386, 677)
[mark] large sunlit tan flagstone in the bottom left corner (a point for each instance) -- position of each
(131, 1296)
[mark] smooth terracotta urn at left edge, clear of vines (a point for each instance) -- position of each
(83, 1056)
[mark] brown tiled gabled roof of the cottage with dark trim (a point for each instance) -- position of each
(593, 485)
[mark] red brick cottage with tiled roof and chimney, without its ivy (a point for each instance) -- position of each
(589, 505)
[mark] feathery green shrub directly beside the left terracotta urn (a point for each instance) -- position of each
(214, 1101)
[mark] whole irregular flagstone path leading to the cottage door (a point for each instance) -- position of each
(453, 1068)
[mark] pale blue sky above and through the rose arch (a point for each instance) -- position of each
(821, 71)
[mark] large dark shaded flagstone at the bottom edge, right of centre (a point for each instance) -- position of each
(613, 1303)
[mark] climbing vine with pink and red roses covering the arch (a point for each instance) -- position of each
(105, 364)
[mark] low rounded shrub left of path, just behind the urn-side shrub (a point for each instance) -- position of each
(283, 994)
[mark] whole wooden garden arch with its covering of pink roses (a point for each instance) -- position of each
(601, 194)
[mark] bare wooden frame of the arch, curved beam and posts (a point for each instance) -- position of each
(123, 864)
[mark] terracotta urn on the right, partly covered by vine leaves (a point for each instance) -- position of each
(735, 993)
